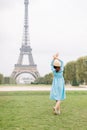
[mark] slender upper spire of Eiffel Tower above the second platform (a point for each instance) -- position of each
(26, 38)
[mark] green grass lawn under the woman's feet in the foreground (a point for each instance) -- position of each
(33, 111)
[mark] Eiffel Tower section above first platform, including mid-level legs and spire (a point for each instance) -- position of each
(25, 48)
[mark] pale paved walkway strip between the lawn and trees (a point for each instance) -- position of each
(37, 88)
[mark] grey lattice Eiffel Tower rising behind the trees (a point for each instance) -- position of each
(25, 49)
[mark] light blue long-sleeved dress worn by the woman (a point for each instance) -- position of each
(58, 86)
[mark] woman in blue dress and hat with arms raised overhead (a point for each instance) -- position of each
(57, 92)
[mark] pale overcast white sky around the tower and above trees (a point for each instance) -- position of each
(54, 26)
